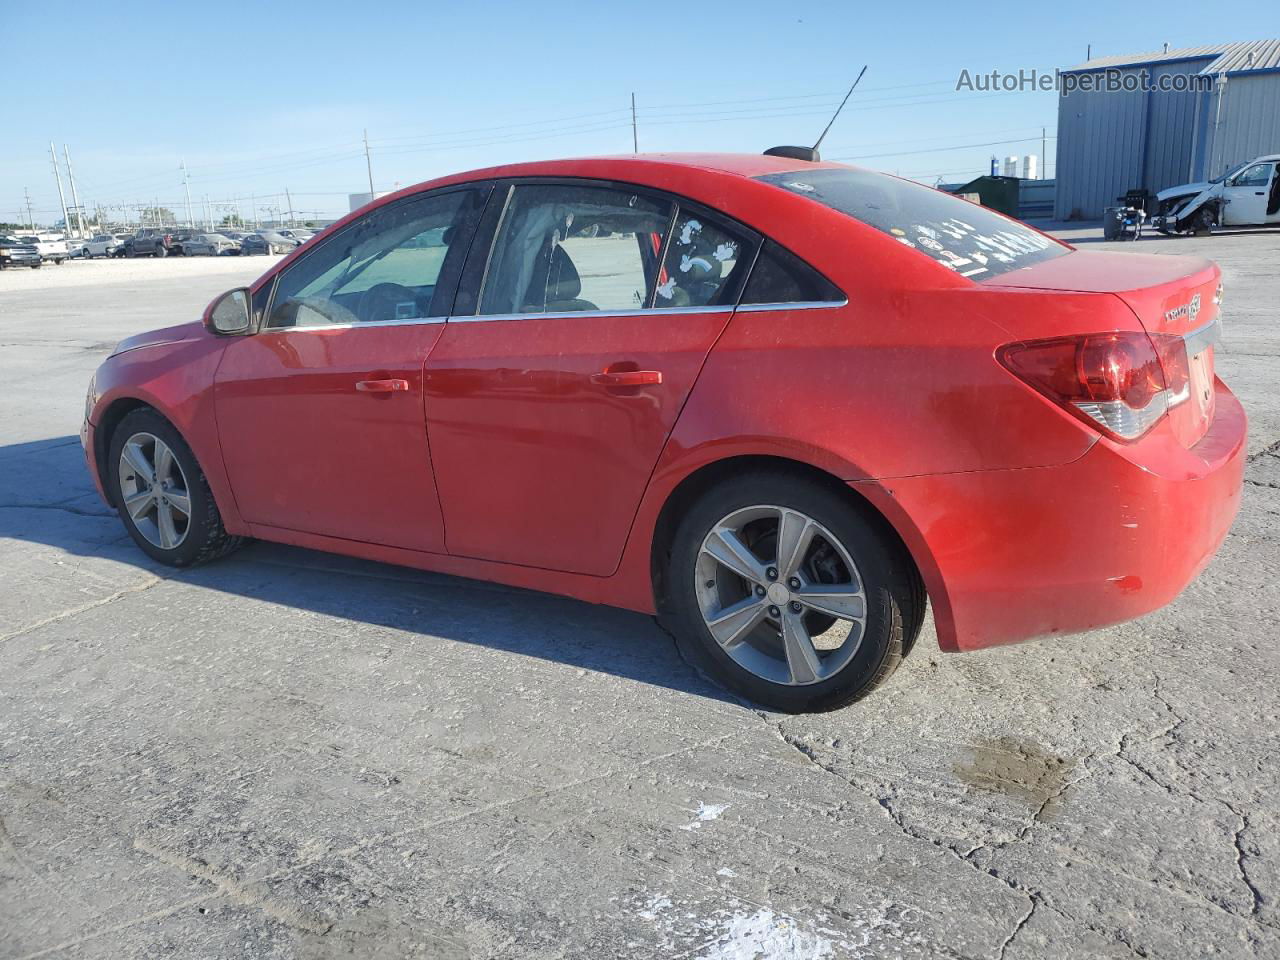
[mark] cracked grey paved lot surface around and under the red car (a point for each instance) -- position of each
(295, 755)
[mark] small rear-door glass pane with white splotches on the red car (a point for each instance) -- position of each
(702, 264)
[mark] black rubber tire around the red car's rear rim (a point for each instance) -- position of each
(895, 596)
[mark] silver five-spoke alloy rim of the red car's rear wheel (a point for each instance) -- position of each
(780, 595)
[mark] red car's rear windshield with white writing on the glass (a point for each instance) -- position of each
(964, 237)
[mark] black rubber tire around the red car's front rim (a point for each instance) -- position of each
(205, 540)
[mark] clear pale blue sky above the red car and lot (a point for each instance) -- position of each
(266, 97)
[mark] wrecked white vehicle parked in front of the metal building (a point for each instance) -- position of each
(1246, 196)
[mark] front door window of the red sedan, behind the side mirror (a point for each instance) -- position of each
(385, 267)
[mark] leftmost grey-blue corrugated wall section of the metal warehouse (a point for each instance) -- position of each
(1099, 149)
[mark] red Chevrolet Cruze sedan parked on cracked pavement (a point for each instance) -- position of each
(778, 403)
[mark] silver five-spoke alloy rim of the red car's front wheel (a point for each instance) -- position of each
(154, 491)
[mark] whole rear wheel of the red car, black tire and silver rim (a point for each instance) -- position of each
(788, 593)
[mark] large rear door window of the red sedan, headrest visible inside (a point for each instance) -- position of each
(569, 249)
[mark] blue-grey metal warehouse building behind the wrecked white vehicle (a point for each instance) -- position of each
(1155, 121)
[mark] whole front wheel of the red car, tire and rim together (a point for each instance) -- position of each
(162, 493)
